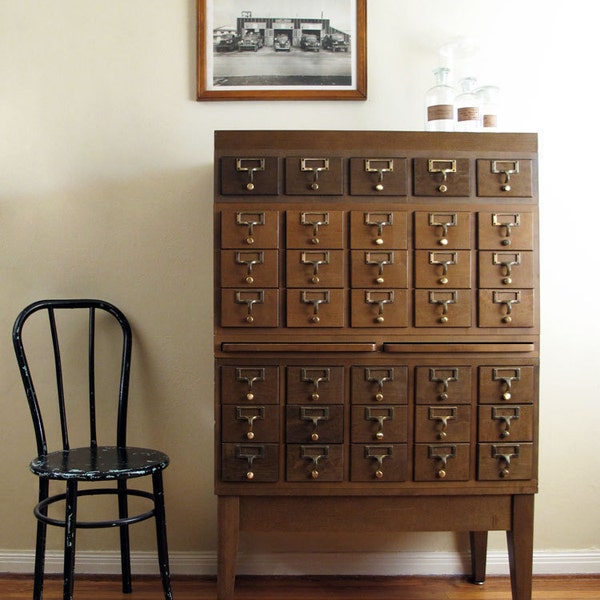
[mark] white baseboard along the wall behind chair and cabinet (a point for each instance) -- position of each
(386, 563)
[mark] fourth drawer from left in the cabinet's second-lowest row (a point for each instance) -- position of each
(446, 423)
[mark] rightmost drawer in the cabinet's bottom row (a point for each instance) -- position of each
(499, 462)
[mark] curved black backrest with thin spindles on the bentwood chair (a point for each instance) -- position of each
(67, 307)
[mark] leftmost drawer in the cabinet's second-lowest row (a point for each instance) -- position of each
(250, 423)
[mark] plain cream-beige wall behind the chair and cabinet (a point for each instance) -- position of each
(106, 190)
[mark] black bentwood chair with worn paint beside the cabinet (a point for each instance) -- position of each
(92, 462)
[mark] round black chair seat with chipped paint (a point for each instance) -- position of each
(99, 464)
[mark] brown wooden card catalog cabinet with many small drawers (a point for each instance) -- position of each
(376, 336)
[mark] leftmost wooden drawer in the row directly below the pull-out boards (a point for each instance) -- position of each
(258, 385)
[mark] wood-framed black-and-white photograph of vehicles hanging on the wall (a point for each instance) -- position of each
(282, 50)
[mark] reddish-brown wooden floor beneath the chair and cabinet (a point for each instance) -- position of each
(312, 588)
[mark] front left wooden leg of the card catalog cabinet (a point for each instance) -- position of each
(229, 533)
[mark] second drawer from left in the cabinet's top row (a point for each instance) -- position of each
(314, 176)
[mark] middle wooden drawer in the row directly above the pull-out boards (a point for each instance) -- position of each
(379, 308)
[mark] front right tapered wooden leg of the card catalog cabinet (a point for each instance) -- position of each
(520, 547)
